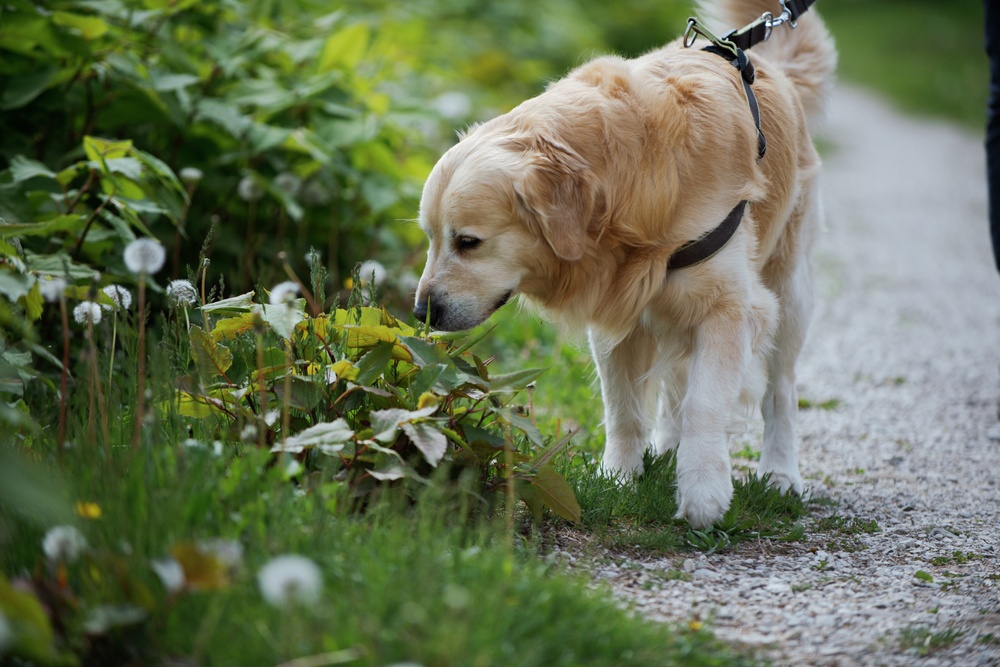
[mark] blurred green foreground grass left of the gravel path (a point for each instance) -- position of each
(423, 584)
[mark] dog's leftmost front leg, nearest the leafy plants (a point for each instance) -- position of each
(623, 368)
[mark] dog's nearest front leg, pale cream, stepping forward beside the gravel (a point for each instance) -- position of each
(722, 357)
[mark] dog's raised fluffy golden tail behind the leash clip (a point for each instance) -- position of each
(806, 54)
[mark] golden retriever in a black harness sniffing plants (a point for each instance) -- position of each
(576, 200)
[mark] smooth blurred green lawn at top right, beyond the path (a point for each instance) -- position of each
(925, 55)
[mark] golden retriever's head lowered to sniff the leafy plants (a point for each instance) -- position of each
(500, 209)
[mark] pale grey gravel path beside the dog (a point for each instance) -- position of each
(904, 347)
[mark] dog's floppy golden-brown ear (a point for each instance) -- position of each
(556, 190)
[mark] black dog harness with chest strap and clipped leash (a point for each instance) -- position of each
(732, 47)
